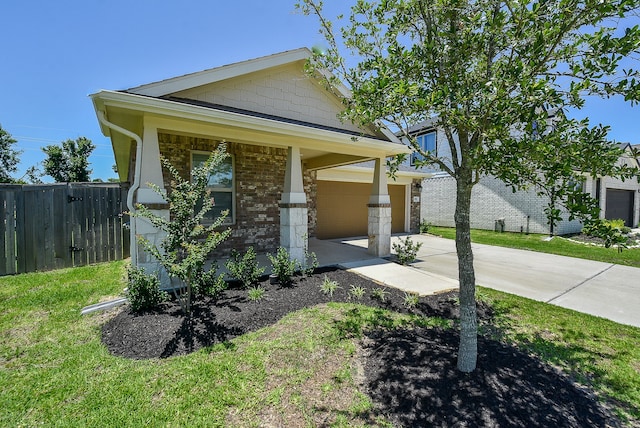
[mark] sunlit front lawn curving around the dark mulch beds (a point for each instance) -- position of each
(55, 371)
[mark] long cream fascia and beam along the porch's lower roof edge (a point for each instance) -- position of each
(333, 141)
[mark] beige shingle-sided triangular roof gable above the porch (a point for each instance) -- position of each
(275, 85)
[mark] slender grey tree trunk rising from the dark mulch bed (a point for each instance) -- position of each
(468, 349)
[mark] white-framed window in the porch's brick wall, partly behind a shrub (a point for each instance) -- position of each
(221, 186)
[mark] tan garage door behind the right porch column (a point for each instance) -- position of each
(342, 209)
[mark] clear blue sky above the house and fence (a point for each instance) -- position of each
(55, 54)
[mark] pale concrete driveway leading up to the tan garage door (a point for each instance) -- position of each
(601, 289)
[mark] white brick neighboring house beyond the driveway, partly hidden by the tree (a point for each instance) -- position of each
(494, 206)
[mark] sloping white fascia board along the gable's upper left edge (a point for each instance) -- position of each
(188, 81)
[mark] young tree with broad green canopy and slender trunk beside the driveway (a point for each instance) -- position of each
(488, 71)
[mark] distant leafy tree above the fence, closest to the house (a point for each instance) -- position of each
(69, 161)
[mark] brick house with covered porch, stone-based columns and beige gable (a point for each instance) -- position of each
(280, 185)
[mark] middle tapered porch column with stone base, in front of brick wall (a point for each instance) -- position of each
(293, 208)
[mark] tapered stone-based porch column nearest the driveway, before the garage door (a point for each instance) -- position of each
(379, 212)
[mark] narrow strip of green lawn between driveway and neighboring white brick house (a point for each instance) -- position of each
(559, 246)
